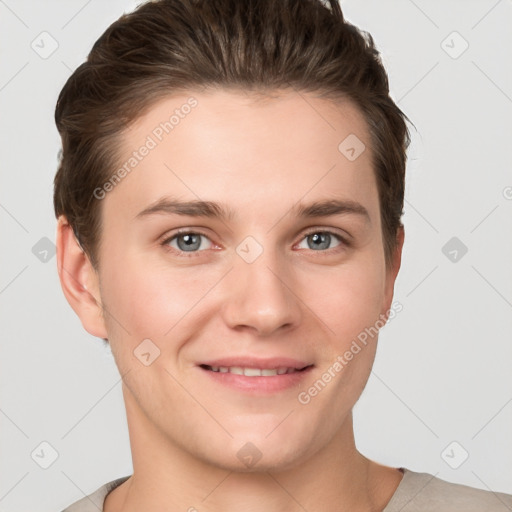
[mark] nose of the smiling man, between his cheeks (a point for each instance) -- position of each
(261, 296)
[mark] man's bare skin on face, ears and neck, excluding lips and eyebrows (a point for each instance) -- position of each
(259, 157)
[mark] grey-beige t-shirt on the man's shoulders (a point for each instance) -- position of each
(417, 492)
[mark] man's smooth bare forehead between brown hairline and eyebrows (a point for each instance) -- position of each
(245, 150)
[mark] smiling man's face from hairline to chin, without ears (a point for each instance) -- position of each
(261, 288)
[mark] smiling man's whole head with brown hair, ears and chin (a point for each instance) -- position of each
(276, 116)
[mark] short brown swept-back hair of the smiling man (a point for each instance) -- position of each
(166, 46)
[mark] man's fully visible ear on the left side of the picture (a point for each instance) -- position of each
(79, 280)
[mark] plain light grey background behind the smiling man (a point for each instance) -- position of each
(439, 399)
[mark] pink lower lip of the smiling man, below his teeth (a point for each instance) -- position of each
(261, 384)
